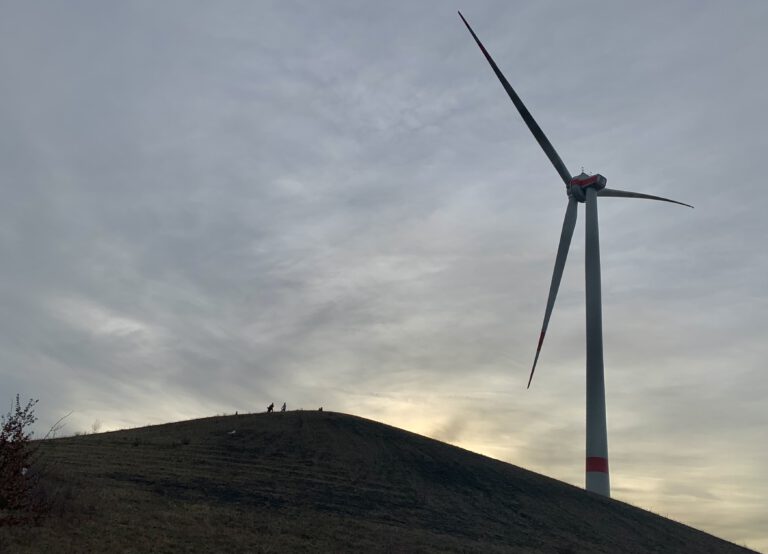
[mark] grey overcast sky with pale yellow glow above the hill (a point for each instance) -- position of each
(208, 207)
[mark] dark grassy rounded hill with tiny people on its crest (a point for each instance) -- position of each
(321, 482)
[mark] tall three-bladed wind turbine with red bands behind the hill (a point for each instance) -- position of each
(580, 189)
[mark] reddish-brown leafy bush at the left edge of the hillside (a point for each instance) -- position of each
(18, 479)
